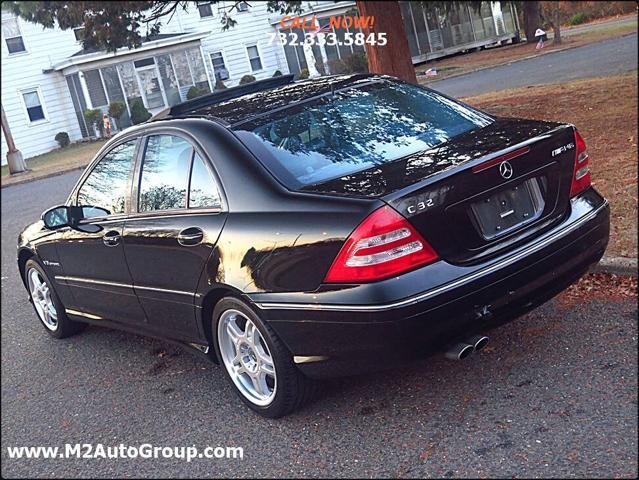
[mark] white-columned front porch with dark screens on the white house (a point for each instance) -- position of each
(159, 74)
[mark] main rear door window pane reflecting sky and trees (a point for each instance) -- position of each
(165, 173)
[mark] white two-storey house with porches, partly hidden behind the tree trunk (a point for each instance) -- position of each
(48, 80)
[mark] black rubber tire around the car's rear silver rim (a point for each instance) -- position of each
(293, 388)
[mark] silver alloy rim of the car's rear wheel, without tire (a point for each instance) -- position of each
(246, 357)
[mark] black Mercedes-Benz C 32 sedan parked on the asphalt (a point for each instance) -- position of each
(294, 230)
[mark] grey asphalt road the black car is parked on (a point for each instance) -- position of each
(555, 396)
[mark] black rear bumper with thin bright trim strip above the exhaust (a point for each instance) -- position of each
(339, 332)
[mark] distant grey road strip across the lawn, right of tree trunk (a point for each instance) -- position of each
(610, 57)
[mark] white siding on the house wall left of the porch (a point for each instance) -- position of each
(24, 70)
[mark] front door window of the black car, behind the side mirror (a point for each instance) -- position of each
(108, 182)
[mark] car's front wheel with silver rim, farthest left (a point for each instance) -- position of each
(46, 303)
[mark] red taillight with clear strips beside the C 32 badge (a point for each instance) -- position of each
(383, 245)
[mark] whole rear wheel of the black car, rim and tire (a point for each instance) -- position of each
(256, 362)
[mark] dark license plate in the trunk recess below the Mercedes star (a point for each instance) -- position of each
(508, 209)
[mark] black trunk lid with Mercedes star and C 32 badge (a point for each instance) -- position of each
(480, 193)
